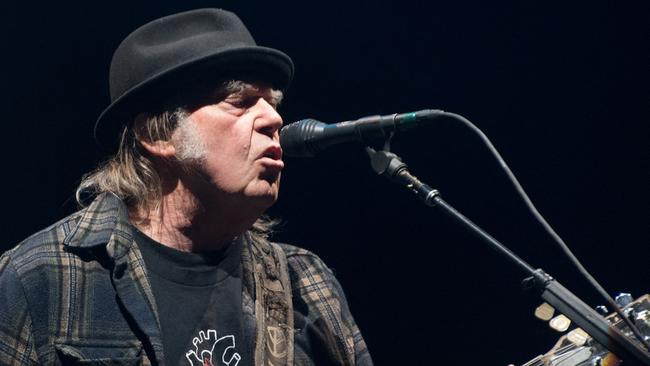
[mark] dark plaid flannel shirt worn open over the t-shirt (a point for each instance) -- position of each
(78, 291)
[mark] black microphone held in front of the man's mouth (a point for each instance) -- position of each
(308, 137)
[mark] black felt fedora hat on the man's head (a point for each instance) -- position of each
(159, 57)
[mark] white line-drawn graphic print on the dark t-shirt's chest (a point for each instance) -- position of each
(212, 351)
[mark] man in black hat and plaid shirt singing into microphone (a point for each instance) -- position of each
(169, 262)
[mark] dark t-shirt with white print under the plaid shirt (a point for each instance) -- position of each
(198, 296)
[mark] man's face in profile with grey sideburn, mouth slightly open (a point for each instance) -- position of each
(234, 143)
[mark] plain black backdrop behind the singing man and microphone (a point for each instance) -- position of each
(561, 89)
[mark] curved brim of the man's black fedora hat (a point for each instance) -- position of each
(272, 65)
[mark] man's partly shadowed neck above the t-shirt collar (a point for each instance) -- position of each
(186, 222)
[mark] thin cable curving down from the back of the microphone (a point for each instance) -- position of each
(601, 291)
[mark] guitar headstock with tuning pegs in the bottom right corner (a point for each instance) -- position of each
(577, 348)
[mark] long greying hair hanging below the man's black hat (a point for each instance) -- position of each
(130, 173)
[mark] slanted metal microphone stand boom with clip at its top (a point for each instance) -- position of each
(391, 166)
